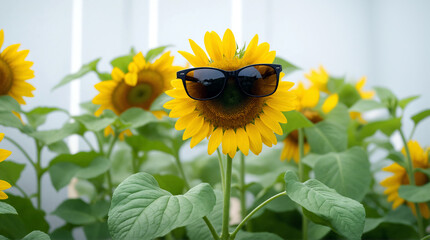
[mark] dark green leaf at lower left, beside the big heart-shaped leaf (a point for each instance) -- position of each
(75, 211)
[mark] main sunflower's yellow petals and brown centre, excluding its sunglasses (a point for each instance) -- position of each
(247, 124)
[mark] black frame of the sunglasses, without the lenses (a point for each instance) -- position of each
(229, 74)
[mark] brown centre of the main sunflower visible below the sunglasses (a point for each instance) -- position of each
(232, 109)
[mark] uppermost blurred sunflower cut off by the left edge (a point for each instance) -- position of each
(14, 72)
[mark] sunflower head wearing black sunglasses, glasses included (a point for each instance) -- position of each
(234, 100)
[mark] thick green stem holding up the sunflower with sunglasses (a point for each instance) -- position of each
(225, 235)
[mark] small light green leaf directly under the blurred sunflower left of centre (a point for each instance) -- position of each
(136, 117)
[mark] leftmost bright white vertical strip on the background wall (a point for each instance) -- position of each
(75, 64)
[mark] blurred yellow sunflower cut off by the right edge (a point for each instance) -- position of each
(400, 177)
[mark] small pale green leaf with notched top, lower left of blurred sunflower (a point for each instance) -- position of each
(96, 124)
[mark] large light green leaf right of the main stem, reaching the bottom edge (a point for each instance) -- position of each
(325, 206)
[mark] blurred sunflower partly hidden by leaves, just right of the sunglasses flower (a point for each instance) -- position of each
(307, 101)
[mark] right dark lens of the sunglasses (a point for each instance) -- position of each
(258, 80)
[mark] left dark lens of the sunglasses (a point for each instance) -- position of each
(204, 83)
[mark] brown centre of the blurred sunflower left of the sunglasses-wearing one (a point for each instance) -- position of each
(149, 86)
